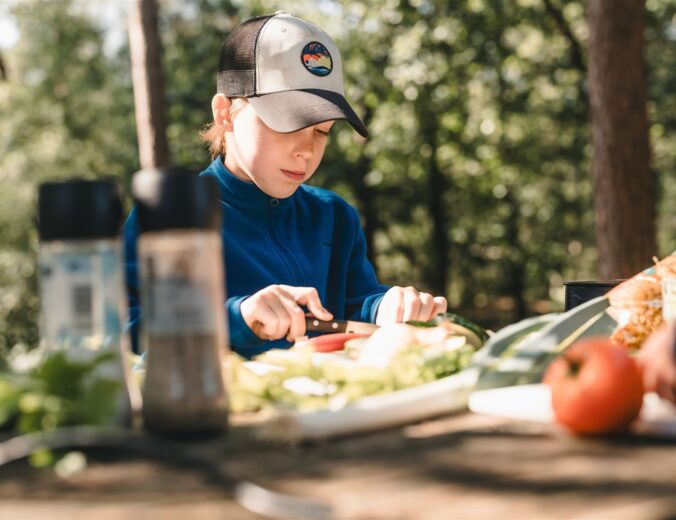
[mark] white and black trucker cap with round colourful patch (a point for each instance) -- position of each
(289, 69)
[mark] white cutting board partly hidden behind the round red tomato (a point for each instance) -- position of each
(533, 403)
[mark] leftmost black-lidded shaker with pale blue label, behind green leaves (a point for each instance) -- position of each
(82, 298)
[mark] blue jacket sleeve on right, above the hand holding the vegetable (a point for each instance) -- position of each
(364, 292)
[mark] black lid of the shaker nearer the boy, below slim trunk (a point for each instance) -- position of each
(171, 198)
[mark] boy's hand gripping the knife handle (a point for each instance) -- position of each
(275, 312)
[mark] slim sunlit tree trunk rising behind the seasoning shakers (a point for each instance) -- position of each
(145, 47)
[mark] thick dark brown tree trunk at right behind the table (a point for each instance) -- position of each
(624, 185)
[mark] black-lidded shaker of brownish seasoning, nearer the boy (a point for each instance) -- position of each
(183, 322)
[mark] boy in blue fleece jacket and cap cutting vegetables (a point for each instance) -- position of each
(287, 245)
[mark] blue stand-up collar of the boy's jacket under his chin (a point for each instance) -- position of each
(243, 194)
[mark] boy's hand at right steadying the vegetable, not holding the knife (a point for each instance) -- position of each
(402, 304)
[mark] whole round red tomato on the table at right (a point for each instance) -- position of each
(596, 387)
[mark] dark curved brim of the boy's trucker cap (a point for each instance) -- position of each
(294, 110)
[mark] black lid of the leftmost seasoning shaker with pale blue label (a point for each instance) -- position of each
(79, 209)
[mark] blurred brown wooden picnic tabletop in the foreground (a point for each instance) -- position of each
(461, 466)
